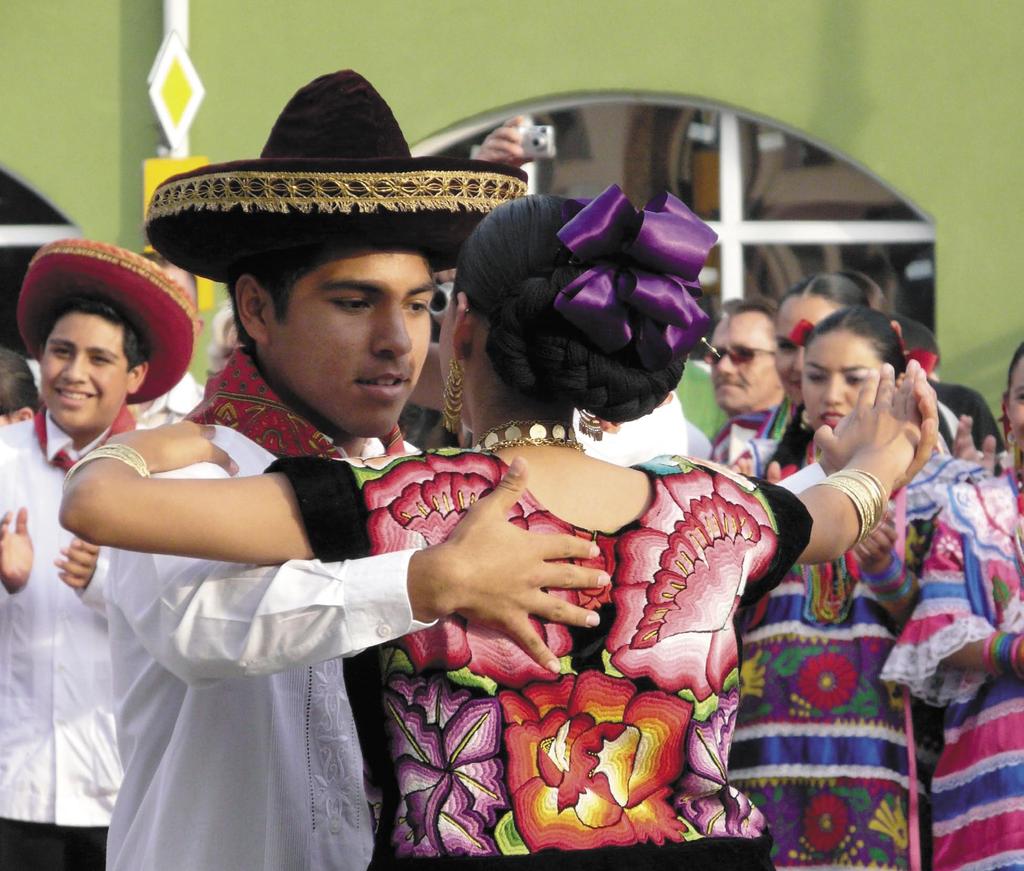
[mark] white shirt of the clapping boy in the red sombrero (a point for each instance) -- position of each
(59, 761)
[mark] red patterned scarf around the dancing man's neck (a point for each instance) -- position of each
(241, 400)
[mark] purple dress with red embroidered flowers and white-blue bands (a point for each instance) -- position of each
(822, 743)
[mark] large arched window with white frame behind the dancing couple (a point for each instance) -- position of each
(784, 205)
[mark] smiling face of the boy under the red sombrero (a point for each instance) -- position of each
(86, 376)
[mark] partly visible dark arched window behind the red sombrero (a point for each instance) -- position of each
(28, 221)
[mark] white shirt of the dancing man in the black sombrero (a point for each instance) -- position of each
(236, 731)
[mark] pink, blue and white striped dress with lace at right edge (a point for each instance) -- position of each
(972, 586)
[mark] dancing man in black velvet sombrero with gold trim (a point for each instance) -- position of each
(237, 733)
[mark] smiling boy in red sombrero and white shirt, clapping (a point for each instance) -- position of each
(107, 328)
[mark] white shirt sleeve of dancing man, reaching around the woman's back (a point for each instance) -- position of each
(205, 621)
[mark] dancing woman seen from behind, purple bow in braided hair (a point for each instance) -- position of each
(618, 753)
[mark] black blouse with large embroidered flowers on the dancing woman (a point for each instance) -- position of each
(618, 762)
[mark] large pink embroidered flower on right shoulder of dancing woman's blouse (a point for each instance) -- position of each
(676, 592)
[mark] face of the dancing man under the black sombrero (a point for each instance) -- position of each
(352, 345)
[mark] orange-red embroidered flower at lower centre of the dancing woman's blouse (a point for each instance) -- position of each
(590, 762)
